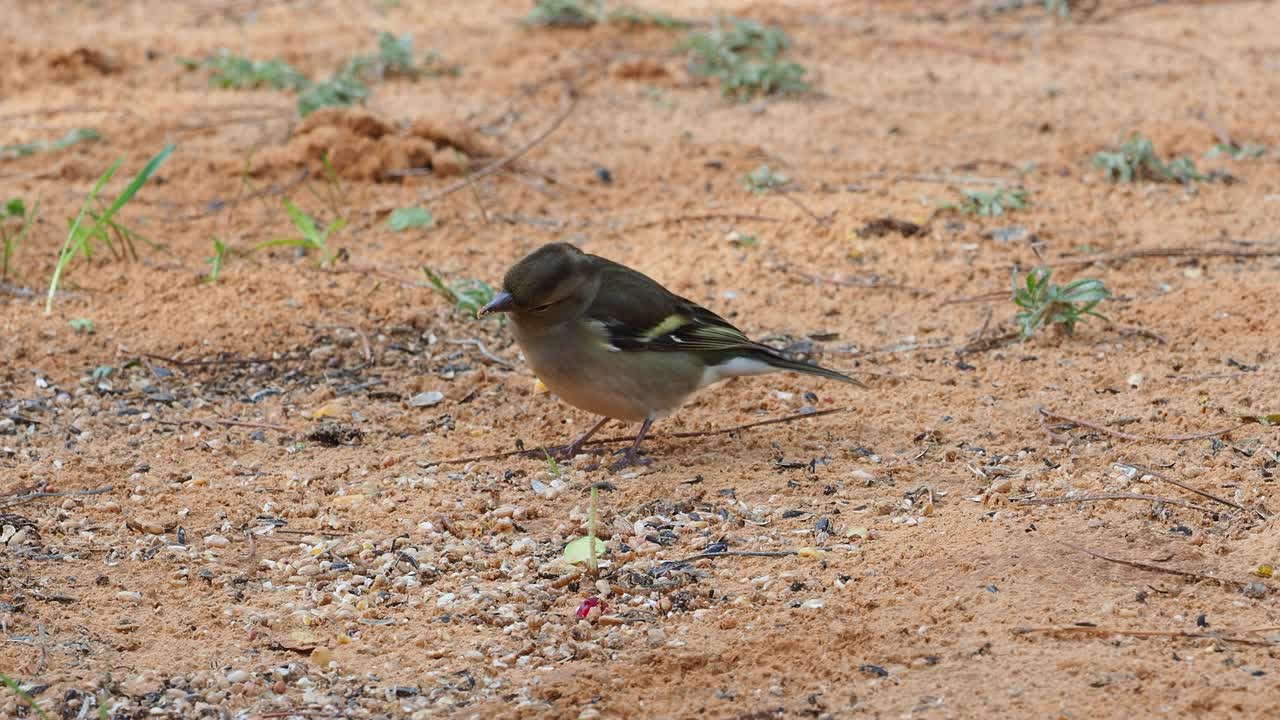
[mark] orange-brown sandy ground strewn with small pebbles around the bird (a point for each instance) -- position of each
(253, 514)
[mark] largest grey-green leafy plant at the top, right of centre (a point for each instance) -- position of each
(747, 58)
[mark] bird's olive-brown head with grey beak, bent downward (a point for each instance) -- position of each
(547, 286)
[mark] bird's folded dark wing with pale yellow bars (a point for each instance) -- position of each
(662, 321)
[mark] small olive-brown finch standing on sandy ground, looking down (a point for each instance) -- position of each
(615, 343)
